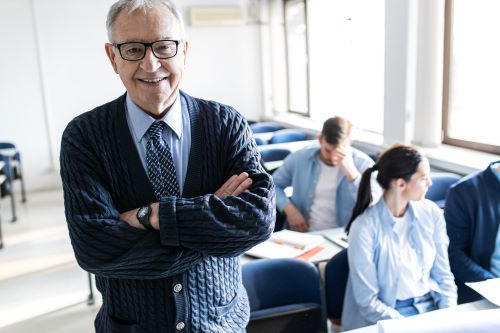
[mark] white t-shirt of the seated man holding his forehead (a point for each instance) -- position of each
(322, 214)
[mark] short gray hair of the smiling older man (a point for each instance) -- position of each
(133, 5)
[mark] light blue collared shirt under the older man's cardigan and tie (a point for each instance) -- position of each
(177, 134)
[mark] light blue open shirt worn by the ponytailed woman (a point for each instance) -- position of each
(374, 262)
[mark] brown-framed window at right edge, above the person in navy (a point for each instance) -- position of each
(472, 75)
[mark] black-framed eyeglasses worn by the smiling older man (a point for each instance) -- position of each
(162, 49)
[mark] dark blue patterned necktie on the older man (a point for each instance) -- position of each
(160, 163)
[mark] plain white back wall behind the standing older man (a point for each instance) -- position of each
(42, 89)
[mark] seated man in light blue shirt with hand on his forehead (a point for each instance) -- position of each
(324, 178)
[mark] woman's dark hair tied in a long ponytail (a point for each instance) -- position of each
(398, 161)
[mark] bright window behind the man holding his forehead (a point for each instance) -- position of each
(342, 49)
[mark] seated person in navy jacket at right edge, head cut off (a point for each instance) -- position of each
(472, 214)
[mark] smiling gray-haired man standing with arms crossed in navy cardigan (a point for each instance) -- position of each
(163, 191)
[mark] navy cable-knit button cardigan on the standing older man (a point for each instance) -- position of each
(187, 277)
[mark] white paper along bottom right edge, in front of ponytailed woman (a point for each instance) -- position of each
(484, 321)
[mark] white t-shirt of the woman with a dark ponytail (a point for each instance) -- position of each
(411, 282)
